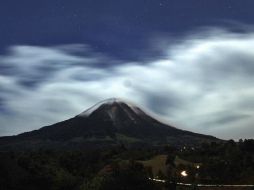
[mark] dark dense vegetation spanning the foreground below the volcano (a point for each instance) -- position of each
(122, 168)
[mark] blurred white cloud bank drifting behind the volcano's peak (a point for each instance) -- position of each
(203, 83)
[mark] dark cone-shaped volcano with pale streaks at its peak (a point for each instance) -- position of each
(108, 123)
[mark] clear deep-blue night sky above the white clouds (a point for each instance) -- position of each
(118, 27)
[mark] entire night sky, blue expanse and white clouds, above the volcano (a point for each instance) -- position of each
(189, 63)
